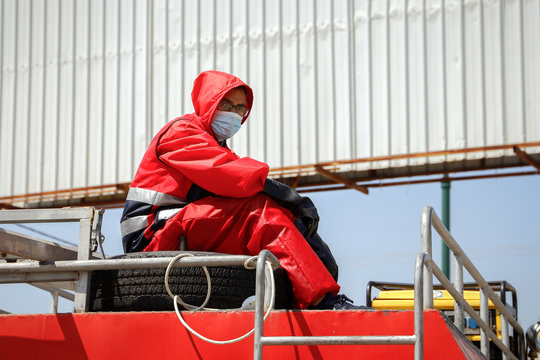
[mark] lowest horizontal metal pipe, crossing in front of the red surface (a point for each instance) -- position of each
(338, 340)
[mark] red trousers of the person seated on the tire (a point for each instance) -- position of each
(246, 226)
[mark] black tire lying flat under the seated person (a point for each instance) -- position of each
(144, 289)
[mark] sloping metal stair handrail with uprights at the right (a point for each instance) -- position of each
(429, 220)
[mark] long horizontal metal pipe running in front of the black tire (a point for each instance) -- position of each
(111, 264)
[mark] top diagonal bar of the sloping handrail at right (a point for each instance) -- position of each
(453, 245)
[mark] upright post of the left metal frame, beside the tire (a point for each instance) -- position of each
(81, 286)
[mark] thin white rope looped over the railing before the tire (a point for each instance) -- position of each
(269, 276)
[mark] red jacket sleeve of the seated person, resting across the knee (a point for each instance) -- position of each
(198, 156)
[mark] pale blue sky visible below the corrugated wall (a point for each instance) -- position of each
(377, 237)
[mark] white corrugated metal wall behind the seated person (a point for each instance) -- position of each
(85, 84)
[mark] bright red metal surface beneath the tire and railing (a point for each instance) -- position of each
(160, 335)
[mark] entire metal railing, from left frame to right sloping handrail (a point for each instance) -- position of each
(425, 268)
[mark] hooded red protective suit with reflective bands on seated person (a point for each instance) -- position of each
(188, 184)
